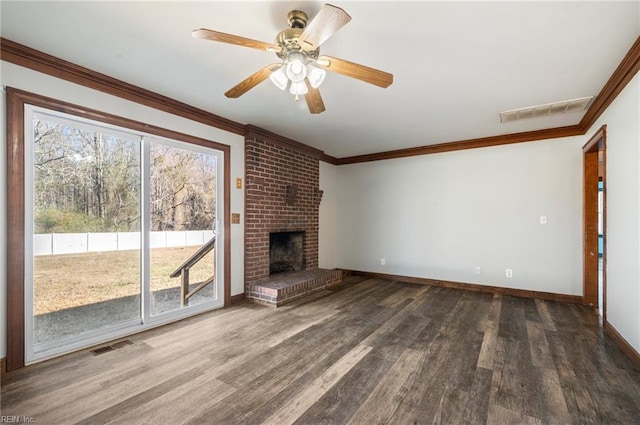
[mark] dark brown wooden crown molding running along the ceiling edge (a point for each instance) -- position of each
(33, 59)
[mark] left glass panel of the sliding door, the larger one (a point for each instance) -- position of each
(86, 230)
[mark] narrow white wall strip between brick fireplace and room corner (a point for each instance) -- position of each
(328, 220)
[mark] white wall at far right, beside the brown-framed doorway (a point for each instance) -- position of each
(623, 211)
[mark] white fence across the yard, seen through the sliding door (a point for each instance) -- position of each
(75, 243)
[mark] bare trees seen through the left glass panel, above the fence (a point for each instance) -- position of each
(85, 181)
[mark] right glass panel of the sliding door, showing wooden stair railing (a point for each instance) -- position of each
(182, 210)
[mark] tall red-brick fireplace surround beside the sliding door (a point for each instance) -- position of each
(282, 194)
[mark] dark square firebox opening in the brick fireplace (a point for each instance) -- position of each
(286, 252)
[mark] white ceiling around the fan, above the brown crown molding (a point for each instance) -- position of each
(456, 65)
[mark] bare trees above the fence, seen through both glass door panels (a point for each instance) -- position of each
(89, 181)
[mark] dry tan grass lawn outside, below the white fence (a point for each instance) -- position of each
(65, 281)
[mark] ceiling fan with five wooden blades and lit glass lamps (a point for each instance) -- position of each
(302, 69)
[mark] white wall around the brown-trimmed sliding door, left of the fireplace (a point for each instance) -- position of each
(25, 79)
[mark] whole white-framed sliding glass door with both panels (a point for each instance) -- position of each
(121, 232)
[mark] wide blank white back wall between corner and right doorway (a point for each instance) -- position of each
(440, 216)
